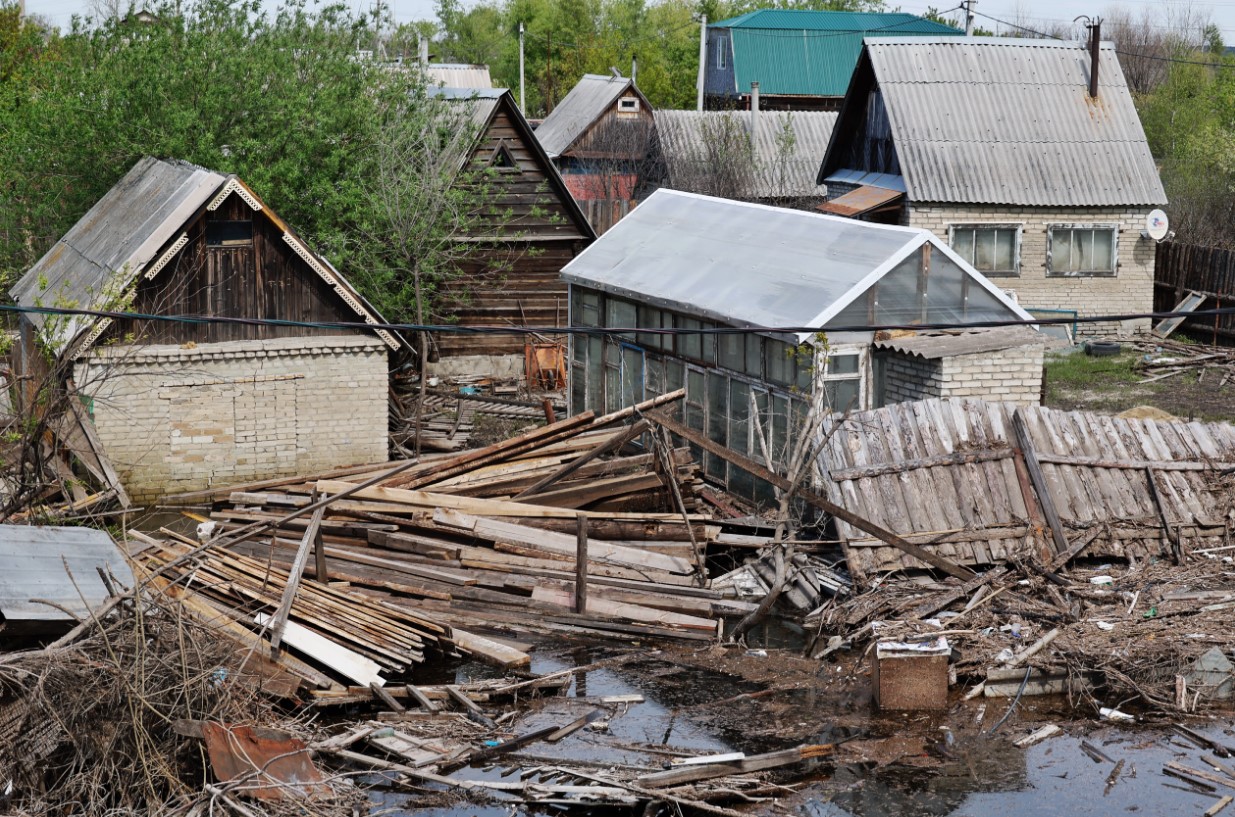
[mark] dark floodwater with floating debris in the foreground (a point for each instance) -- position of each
(961, 773)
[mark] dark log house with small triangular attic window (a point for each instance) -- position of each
(511, 276)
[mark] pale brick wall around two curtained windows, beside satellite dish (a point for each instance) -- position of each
(1131, 291)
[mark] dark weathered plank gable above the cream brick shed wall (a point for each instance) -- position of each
(262, 281)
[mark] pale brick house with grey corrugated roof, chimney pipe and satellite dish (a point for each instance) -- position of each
(1006, 150)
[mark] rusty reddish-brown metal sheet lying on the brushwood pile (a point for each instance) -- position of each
(270, 767)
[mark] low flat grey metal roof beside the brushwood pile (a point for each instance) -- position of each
(45, 562)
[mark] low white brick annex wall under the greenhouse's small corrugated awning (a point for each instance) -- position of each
(1008, 376)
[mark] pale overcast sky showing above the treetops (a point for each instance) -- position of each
(1023, 12)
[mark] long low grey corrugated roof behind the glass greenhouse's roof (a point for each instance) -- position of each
(785, 150)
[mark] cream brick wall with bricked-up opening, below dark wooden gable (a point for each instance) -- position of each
(180, 419)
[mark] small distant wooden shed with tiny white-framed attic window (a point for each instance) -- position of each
(600, 136)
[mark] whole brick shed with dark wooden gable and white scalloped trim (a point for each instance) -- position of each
(186, 404)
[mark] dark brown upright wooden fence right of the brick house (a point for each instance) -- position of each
(1211, 271)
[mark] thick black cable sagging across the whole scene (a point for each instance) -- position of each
(601, 331)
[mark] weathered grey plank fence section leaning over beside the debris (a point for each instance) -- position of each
(944, 476)
